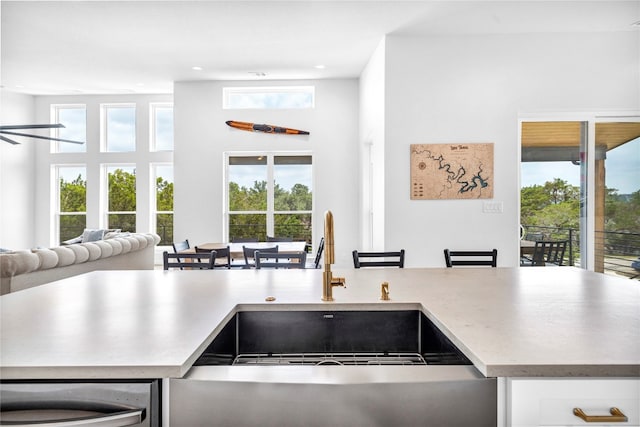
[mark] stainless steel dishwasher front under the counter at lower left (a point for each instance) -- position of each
(73, 403)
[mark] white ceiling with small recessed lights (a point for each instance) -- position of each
(98, 47)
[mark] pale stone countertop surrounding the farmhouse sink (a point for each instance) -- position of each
(154, 324)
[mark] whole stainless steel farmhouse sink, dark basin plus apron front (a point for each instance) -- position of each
(337, 368)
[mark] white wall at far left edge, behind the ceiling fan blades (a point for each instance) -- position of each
(17, 175)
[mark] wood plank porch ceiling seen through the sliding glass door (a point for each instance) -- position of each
(567, 134)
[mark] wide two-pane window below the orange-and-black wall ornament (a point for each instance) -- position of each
(269, 194)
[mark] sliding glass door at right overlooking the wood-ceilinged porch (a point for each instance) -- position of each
(580, 182)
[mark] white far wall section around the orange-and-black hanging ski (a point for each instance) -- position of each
(202, 138)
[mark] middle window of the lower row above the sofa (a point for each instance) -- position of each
(121, 197)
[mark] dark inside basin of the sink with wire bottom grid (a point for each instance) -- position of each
(331, 337)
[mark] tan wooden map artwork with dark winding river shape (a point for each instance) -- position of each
(451, 171)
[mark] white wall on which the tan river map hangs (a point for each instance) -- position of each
(472, 89)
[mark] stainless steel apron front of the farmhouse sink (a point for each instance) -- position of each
(333, 396)
